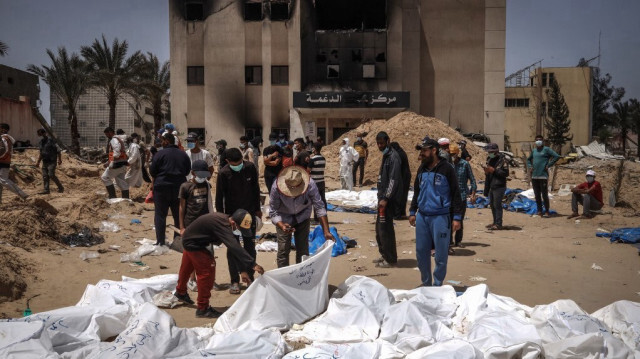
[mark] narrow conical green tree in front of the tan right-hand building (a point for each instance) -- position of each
(558, 123)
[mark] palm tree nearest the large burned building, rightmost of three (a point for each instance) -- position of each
(154, 87)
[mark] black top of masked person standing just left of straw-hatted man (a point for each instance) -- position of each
(235, 190)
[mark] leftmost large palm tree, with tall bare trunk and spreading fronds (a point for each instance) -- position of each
(67, 79)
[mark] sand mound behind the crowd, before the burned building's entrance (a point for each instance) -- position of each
(408, 129)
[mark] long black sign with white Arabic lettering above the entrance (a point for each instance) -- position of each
(351, 99)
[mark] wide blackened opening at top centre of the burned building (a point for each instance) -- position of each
(352, 14)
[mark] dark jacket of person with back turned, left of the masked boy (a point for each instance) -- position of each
(170, 167)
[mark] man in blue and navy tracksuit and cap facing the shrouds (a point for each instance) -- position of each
(436, 211)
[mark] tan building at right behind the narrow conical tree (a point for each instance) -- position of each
(526, 104)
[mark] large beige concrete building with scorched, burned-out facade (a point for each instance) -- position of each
(321, 67)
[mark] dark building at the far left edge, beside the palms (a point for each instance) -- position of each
(19, 94)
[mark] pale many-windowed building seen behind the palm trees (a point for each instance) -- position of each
(93, 118)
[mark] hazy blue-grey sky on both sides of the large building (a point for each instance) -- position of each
(559, 32)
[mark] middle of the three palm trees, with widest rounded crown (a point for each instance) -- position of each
(112, 71)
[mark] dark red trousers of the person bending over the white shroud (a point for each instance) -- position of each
(205, 266)
